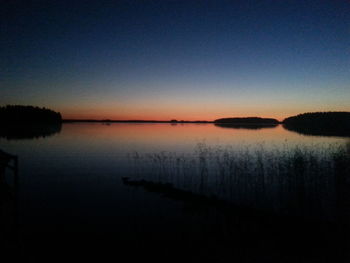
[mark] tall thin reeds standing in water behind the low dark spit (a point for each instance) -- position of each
(295, 180)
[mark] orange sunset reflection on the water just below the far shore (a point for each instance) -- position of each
(150, 137)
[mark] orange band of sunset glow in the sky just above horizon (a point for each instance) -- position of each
(186, 113)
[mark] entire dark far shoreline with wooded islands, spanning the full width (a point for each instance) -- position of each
(14, 117)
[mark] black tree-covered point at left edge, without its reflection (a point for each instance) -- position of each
(28, 114)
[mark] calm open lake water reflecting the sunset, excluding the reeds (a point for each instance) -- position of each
(70, 189)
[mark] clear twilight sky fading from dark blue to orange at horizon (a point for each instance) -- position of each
(185, 60)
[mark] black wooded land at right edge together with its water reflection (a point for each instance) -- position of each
(320, 123)
